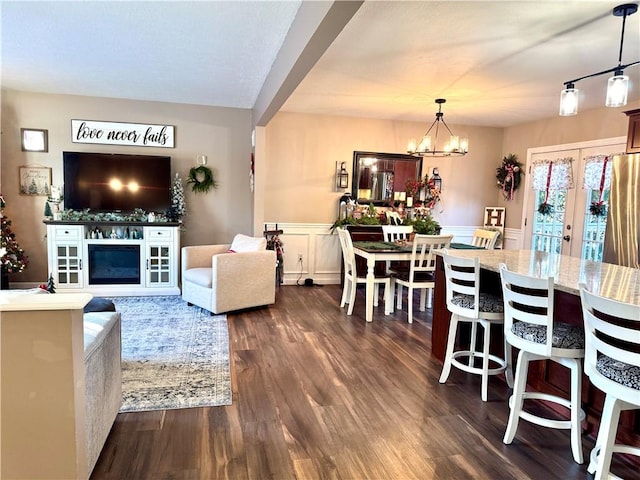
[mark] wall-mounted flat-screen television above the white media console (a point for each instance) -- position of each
(110, 182)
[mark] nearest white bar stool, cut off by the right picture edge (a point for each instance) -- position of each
(613, 367)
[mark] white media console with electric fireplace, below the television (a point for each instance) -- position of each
(114, 258)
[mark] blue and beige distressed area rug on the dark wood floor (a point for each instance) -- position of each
(173, 355)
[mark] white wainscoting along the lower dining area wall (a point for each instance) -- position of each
(322, 257)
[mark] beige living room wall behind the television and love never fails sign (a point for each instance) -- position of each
(223, 134)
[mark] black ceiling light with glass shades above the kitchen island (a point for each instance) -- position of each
(618, 84)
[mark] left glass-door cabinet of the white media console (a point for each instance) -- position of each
(65, 247)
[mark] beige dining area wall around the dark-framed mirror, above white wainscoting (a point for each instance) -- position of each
(302, 151)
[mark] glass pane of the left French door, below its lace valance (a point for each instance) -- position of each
(547, 229)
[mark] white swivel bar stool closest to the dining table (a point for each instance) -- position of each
(467, 304)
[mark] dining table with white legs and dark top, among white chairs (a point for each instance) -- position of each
(380, 251)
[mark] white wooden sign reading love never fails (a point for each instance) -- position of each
(117, 133)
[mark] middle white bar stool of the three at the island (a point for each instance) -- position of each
(529, 326)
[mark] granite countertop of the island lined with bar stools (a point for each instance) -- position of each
(605, 279)
